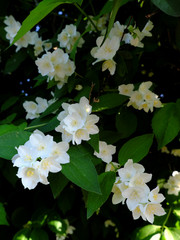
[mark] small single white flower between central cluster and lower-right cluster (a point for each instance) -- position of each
(105, 152)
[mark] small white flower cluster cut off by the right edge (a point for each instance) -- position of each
(173, 183)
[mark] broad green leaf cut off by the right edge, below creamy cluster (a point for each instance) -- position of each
(166, 124)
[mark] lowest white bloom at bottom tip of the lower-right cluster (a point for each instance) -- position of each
(152, 209)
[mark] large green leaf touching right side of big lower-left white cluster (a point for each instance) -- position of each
(81, 170)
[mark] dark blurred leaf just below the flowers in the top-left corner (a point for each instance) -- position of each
(14, 61)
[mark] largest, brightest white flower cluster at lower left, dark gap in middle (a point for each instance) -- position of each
(39, 156)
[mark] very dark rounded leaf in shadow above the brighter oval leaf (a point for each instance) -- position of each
(126, 122)
